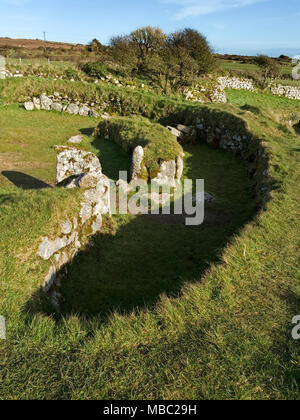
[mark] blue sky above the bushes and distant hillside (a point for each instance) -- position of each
(231, 26)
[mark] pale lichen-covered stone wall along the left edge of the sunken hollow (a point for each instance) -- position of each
(75, 169)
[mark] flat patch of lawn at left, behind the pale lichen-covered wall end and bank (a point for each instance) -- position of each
(27, 146)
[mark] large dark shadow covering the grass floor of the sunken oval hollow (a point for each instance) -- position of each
(137, 259)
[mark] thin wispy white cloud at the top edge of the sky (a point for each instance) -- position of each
(205, 7)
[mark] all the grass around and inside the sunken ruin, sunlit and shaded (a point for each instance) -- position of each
(153, 309)
